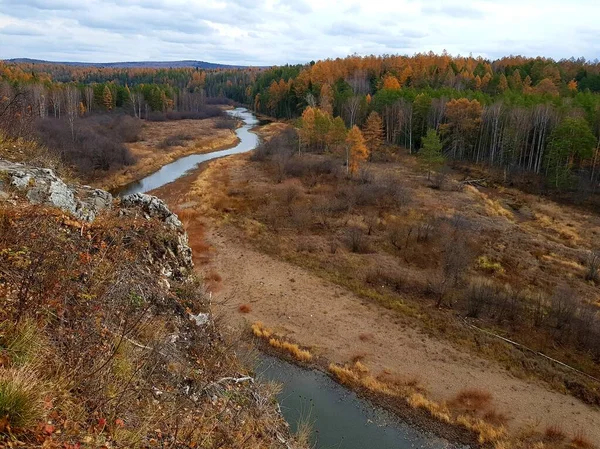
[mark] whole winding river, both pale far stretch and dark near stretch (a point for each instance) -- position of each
(338, 417)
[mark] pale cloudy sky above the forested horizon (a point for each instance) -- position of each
(276, 32)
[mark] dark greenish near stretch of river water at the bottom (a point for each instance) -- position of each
(339, 418)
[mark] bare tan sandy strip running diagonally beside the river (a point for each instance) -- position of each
(330, 320)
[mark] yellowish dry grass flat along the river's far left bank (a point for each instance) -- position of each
(204, 138)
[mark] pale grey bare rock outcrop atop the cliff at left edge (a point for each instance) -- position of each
(42, 186)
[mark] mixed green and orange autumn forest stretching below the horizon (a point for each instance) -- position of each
(535, 119)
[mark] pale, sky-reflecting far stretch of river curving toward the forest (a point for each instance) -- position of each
(170, 172)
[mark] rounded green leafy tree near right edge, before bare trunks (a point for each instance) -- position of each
(570, 140)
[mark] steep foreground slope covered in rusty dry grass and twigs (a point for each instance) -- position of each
(99, 358)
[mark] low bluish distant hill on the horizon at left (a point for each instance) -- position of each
(132, 64)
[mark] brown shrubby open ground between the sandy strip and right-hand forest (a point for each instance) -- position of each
(464, 261)
